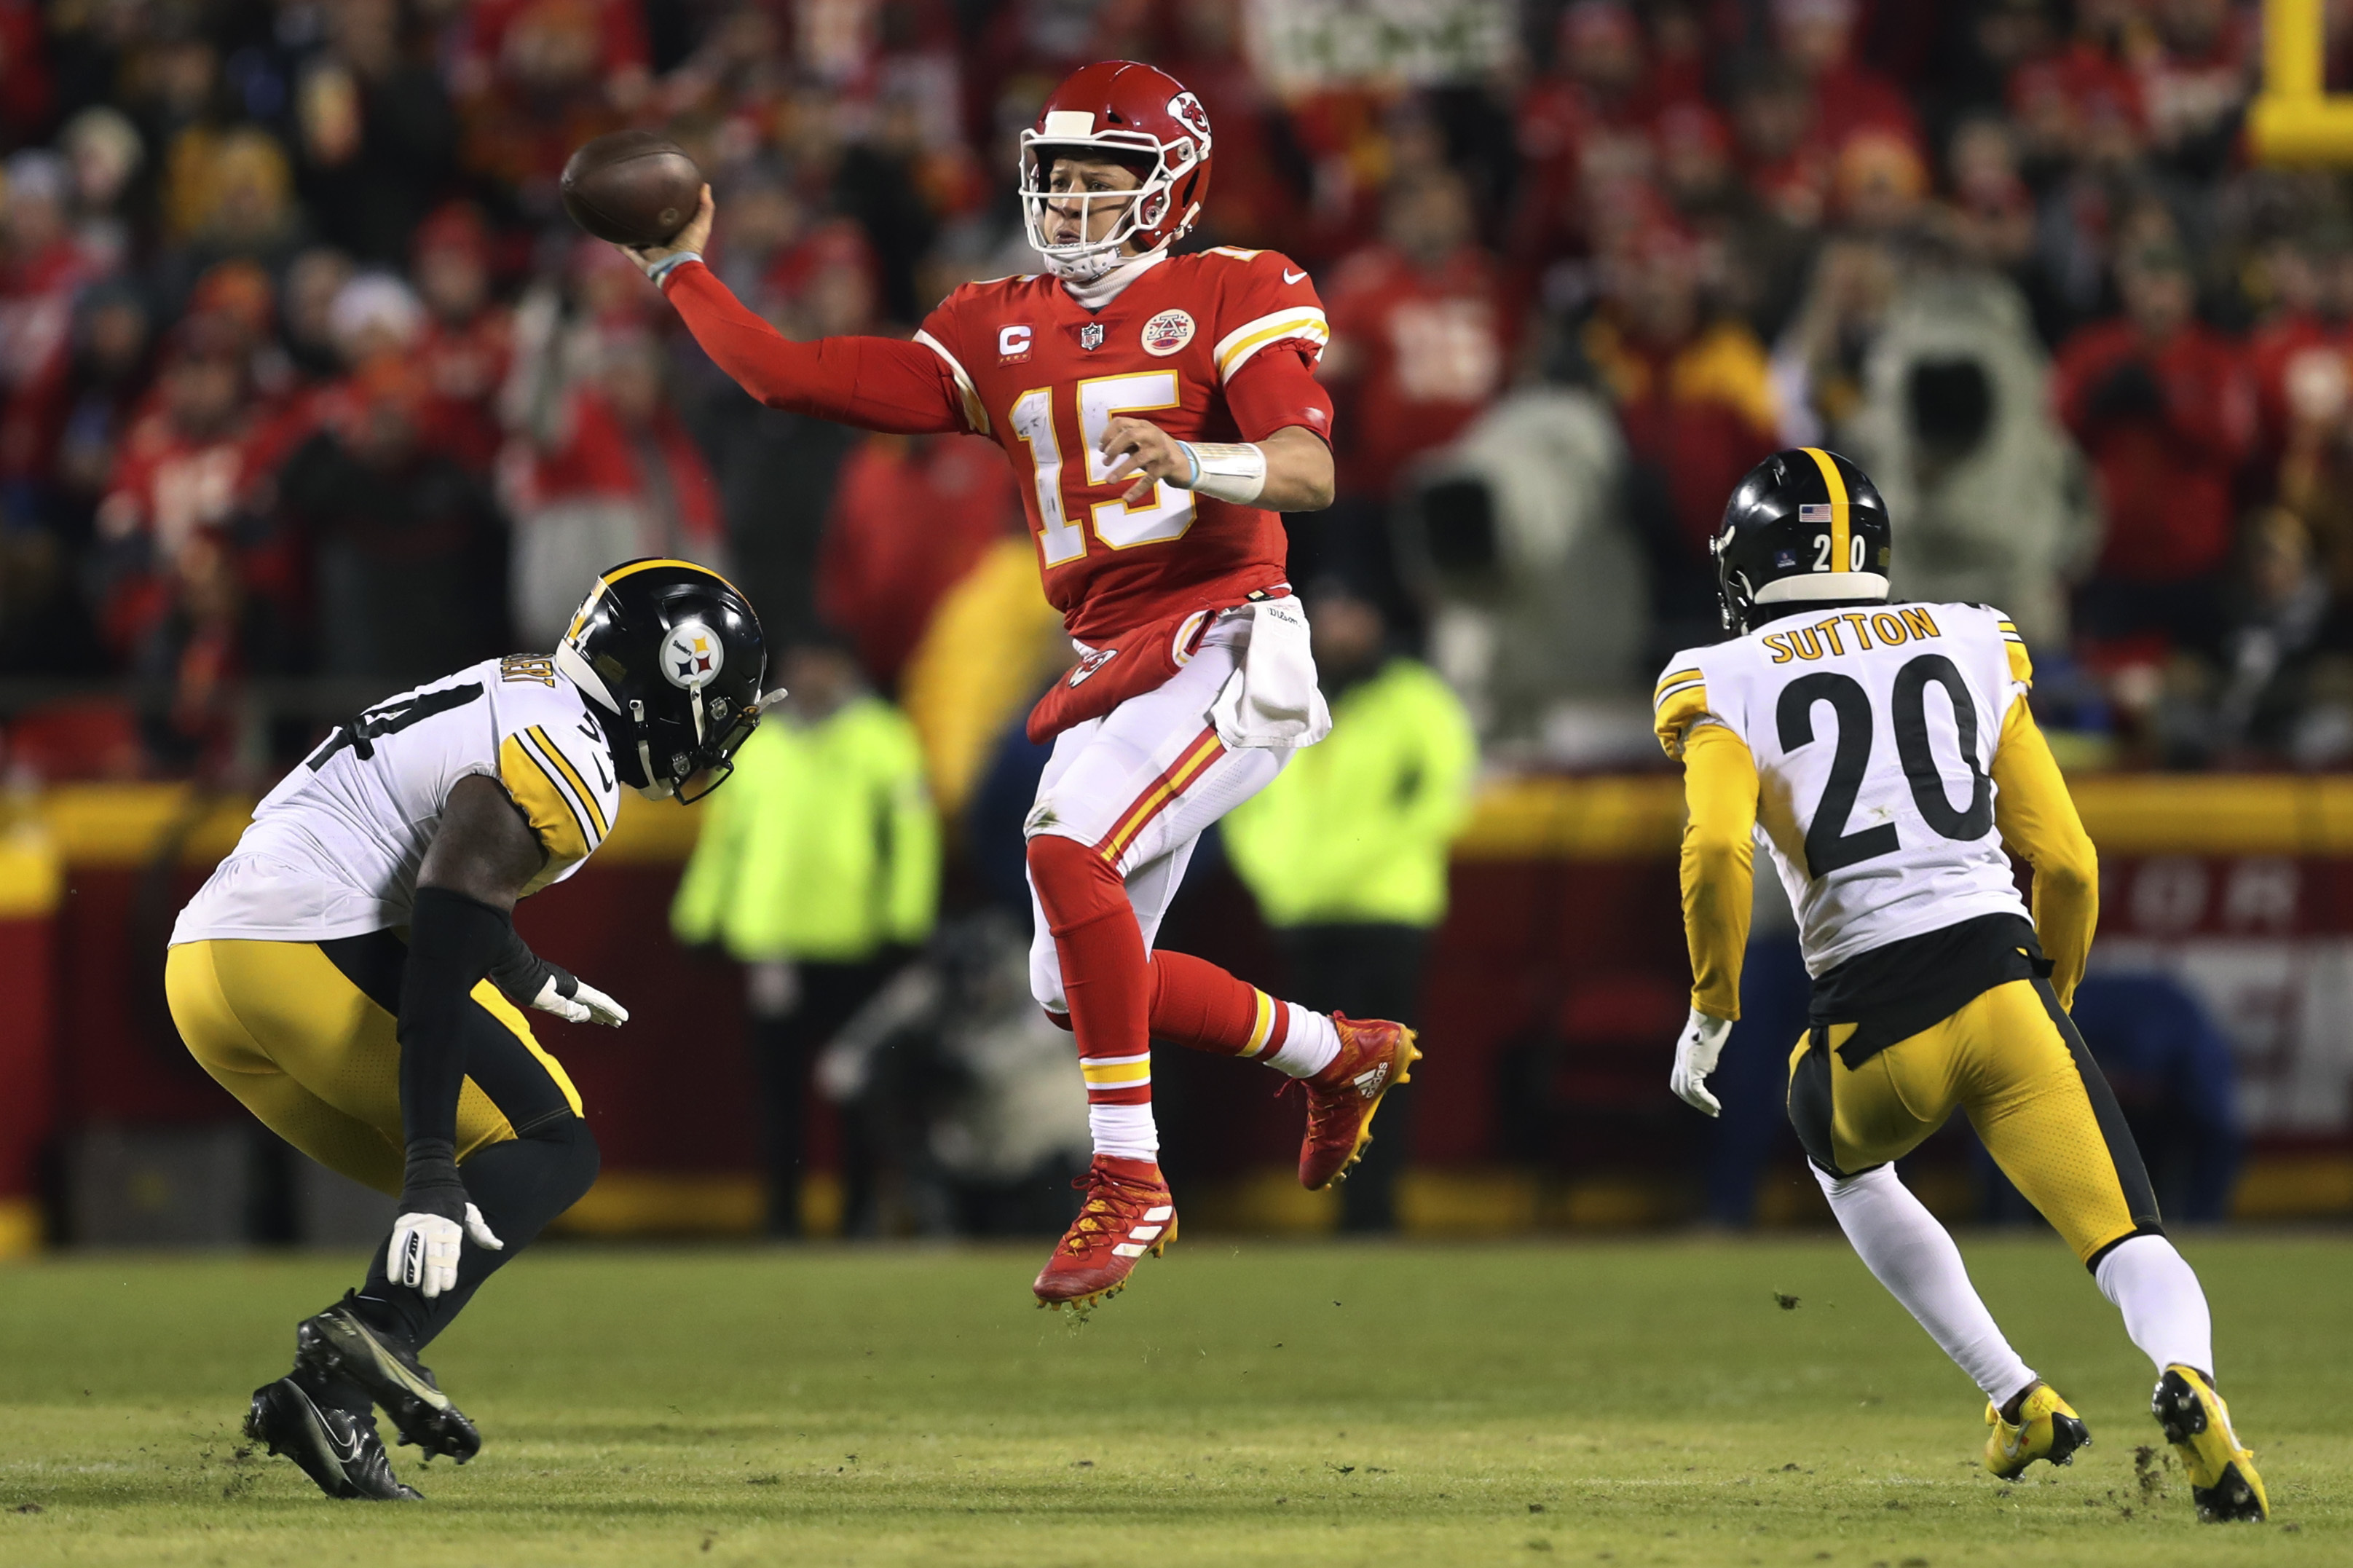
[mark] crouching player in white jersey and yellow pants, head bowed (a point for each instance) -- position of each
(354, 976)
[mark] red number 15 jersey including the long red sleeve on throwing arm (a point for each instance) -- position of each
(1213, 347)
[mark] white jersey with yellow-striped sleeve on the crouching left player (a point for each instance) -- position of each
(335, 849)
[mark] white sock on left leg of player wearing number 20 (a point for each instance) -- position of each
(1914, 1256)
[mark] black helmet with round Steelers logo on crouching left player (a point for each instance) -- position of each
(672, 658)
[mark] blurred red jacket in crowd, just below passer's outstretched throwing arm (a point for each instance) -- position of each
(909, 519)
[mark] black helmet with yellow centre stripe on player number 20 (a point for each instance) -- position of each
(1801, 526)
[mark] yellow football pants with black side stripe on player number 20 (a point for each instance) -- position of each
(2018, 1068)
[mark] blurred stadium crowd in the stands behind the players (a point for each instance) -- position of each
(302, 373)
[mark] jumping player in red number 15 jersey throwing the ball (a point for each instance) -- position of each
(1159, 411)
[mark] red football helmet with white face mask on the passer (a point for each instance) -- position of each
(1135, 114)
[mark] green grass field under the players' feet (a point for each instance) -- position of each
(1248, 1402)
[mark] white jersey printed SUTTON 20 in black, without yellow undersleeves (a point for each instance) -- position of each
(1874, 736)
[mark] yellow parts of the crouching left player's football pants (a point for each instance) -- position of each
(314, 1058)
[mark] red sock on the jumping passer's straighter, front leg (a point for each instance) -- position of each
(1105, 974)
